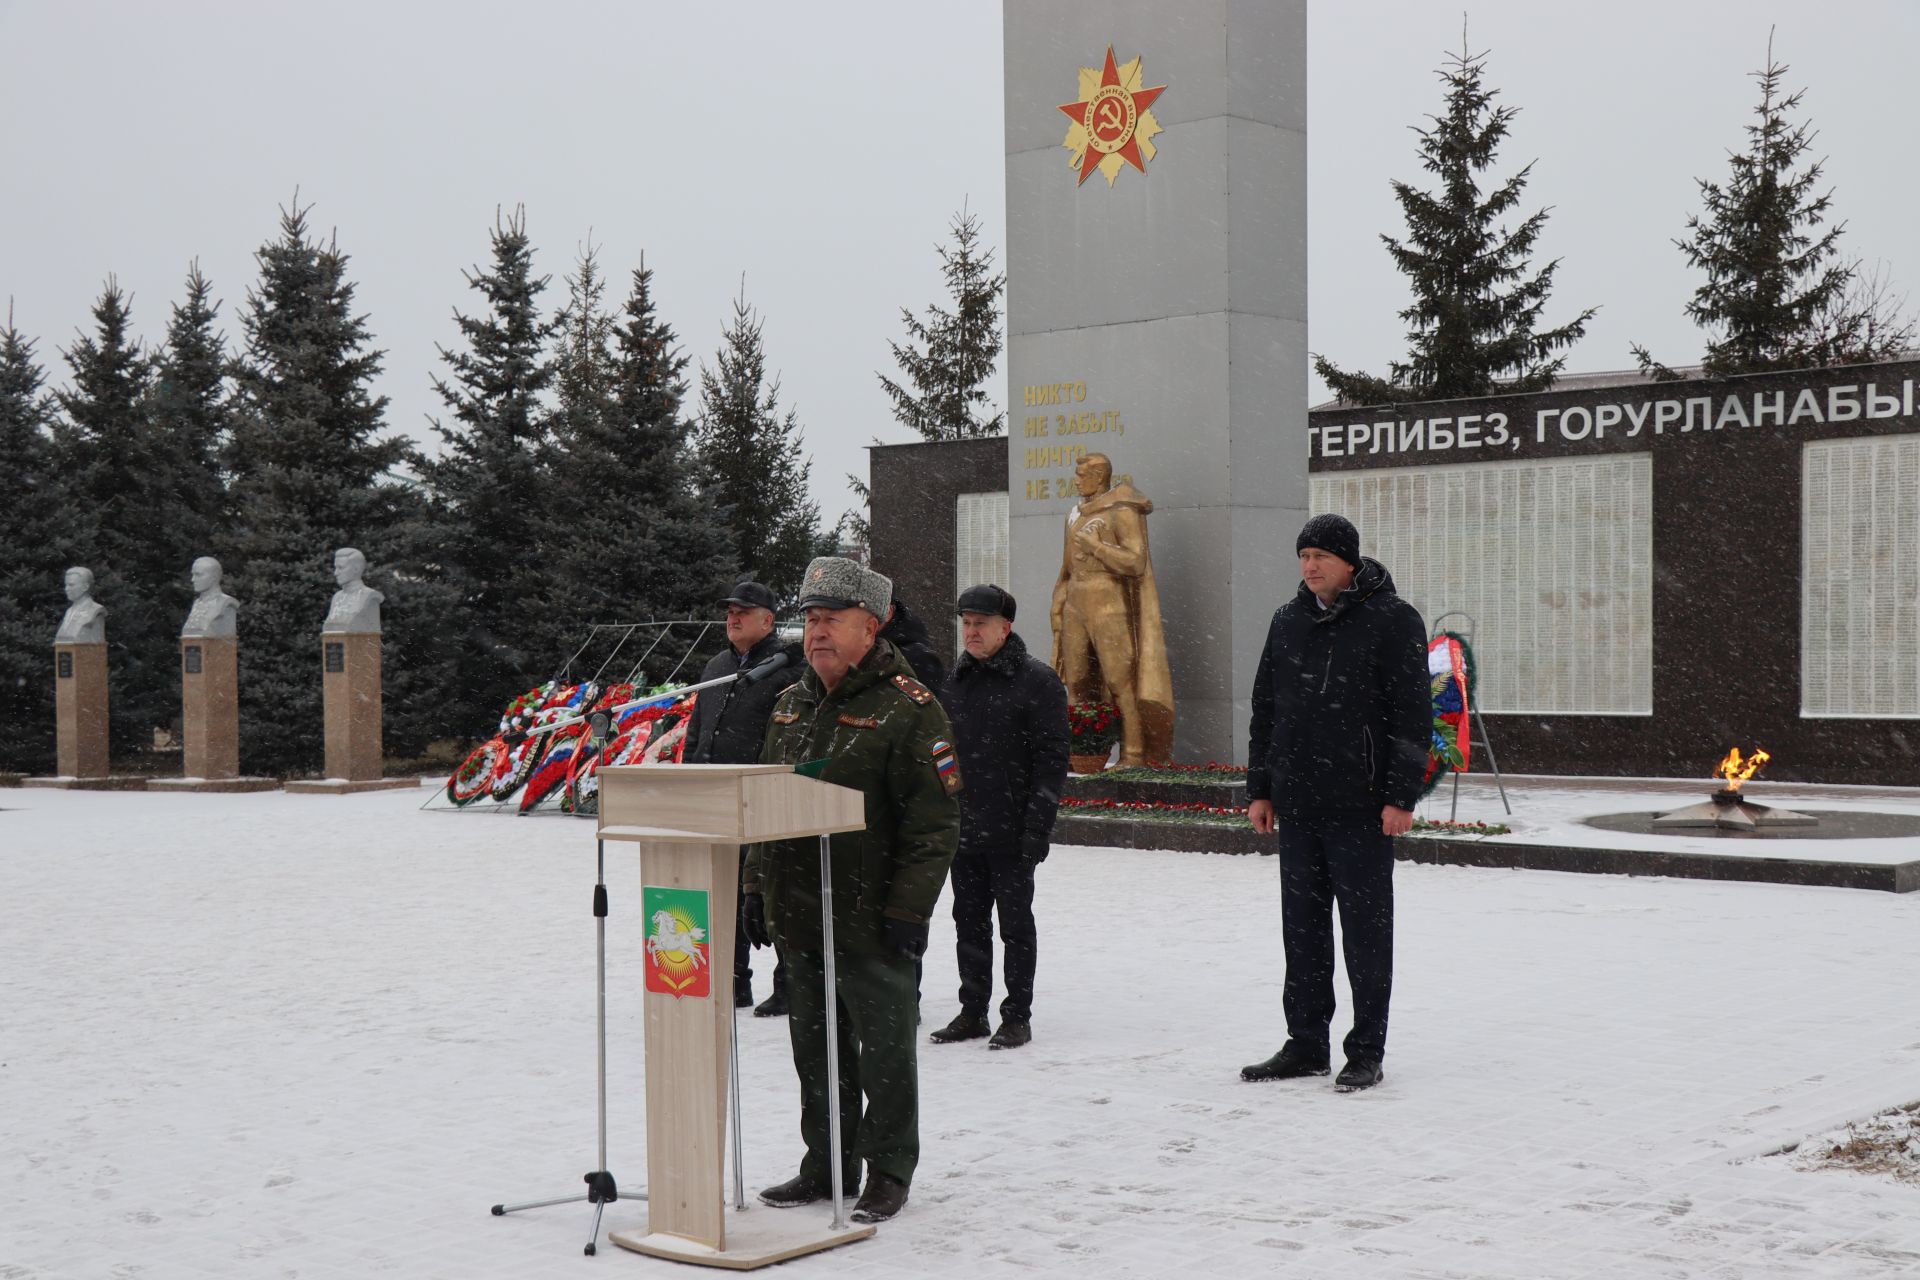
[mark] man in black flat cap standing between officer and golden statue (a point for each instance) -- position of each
(1011, 723)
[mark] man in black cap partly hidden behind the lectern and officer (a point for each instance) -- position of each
(729, 726)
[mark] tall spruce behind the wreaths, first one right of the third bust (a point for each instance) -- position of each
(489, 485)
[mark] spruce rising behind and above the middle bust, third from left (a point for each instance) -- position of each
(189, 415)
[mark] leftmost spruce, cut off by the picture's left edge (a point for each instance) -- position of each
(36, 529)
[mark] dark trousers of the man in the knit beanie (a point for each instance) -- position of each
(1324, 861)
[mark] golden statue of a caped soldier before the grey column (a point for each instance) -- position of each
(1109, 646)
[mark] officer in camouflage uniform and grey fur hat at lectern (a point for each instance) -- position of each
(880, 732)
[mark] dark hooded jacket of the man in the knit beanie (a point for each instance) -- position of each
(1343, 713)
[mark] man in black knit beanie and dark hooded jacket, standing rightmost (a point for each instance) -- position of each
(1341, 730)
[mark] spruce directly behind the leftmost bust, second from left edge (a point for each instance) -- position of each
(120, 481)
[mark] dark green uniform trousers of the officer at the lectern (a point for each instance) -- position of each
(880, 1074)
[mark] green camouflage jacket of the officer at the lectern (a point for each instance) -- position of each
(886, 736)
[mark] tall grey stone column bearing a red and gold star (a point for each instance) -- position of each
(1157, 312)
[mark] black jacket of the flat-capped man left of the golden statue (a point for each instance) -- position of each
(1011, 723)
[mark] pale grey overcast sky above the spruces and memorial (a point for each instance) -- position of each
(821, 151)
